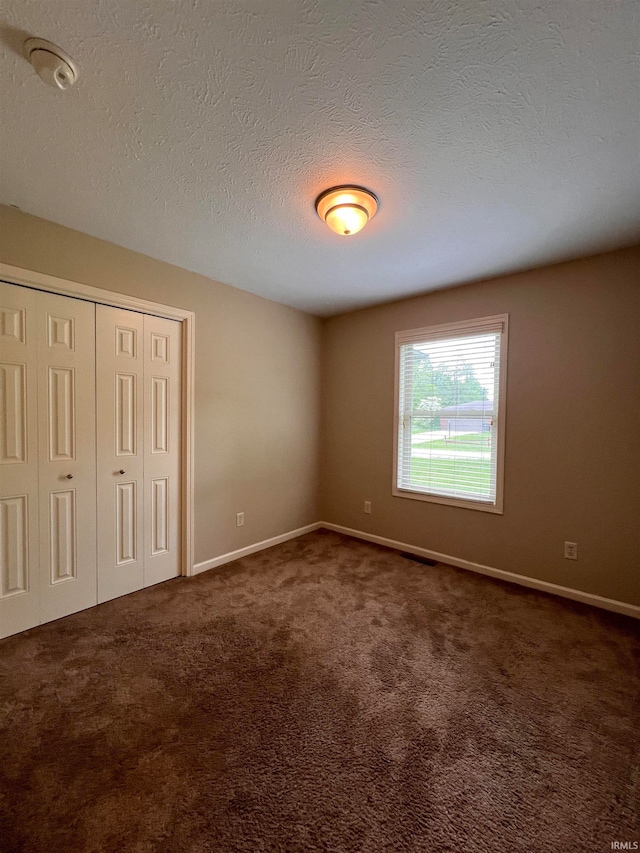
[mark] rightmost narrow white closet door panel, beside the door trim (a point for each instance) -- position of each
(162, 416)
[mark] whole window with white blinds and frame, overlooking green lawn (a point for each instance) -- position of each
(450, 384)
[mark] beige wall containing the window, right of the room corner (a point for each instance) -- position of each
(573, 425)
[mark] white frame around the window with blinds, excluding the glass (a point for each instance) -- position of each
(458, 329)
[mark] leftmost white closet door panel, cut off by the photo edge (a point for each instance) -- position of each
(19, 543)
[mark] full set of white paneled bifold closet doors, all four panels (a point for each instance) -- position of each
(90, 419)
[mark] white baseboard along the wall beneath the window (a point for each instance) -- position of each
(523, 580)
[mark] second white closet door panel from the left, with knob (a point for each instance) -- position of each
(67, 465)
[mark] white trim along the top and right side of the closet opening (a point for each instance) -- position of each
(40, 281)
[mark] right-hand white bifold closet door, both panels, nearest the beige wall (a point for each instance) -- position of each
(138, 428)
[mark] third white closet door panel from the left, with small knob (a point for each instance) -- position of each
(120, 412)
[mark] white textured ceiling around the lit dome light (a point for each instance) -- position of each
(498, 135)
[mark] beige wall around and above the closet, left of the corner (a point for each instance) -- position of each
(257, 387)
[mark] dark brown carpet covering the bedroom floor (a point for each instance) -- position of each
(324, 695)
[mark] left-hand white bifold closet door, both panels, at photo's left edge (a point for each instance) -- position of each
(47, 457)
